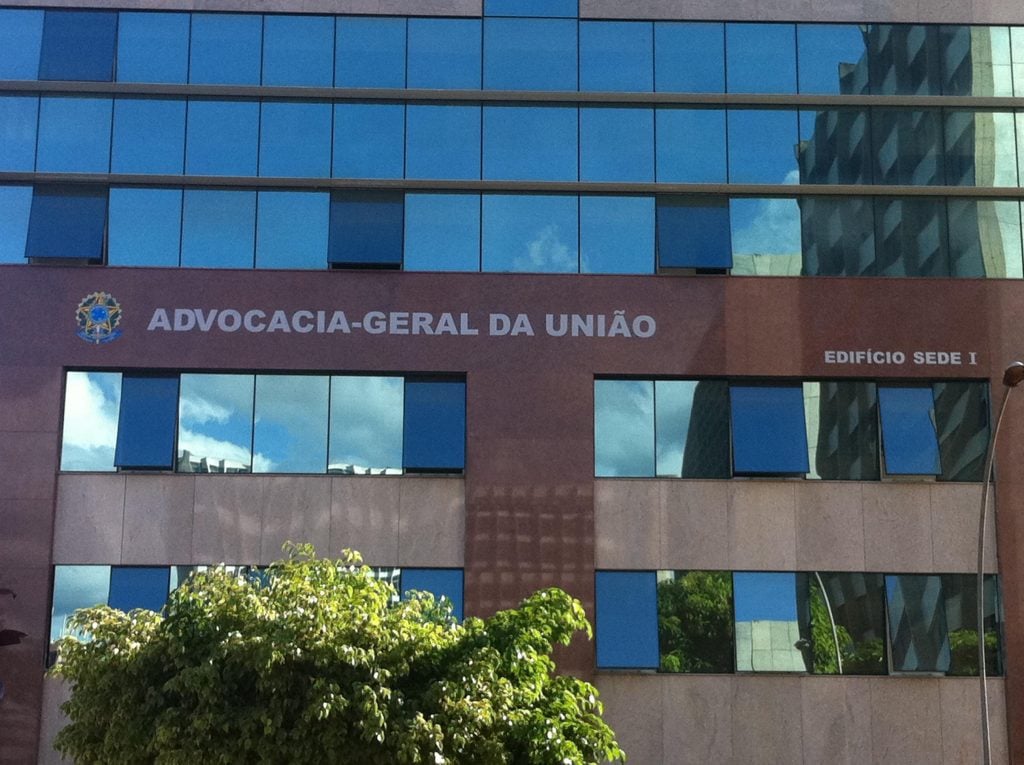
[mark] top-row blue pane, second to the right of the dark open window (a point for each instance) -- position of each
(226, 49)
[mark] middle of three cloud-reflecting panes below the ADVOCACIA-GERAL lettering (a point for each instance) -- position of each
(291, 422)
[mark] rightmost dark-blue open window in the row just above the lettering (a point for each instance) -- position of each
(694, 233)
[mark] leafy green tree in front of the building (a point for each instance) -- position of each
(319, 663)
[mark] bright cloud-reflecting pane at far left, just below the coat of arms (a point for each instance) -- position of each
(93, 401)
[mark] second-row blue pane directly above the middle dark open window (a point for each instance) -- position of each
(369, 141)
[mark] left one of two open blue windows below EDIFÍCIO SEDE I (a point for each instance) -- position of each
(769, 433)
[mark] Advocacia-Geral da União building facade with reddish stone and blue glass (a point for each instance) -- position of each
(699, 312)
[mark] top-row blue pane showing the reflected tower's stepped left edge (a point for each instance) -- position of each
(833, 59)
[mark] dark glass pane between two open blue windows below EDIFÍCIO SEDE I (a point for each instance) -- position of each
(842, 422)
